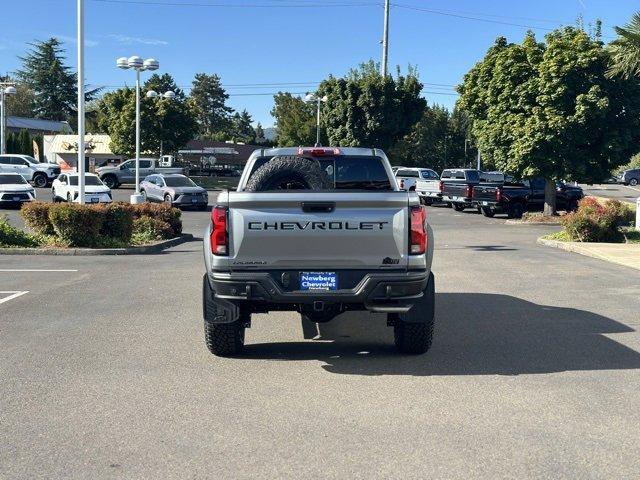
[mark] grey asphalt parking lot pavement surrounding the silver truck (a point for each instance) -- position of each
(534, 371)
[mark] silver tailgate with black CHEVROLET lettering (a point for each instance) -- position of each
(318, 230)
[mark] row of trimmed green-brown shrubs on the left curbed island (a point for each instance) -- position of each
(114, 224)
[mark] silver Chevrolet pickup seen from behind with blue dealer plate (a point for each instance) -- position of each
(319, 231)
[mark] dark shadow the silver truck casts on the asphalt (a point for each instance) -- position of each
(476, 334)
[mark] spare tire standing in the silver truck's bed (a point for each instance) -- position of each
(289, 172)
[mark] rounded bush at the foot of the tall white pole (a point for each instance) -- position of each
(77, 225)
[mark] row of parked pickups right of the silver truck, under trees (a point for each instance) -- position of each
(490, 193)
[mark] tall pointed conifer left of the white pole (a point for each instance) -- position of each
(52, 82)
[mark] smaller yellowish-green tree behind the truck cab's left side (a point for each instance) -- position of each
(295, 121)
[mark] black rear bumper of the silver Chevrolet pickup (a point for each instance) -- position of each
(378, 292)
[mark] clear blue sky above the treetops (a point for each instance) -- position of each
(259, 47)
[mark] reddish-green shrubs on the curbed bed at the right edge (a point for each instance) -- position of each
(597, 222)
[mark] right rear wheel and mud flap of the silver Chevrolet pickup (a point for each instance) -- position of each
(413, 331)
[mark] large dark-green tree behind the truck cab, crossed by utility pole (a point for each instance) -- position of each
(368, 109)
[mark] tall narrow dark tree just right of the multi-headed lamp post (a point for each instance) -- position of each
(208, 101)
